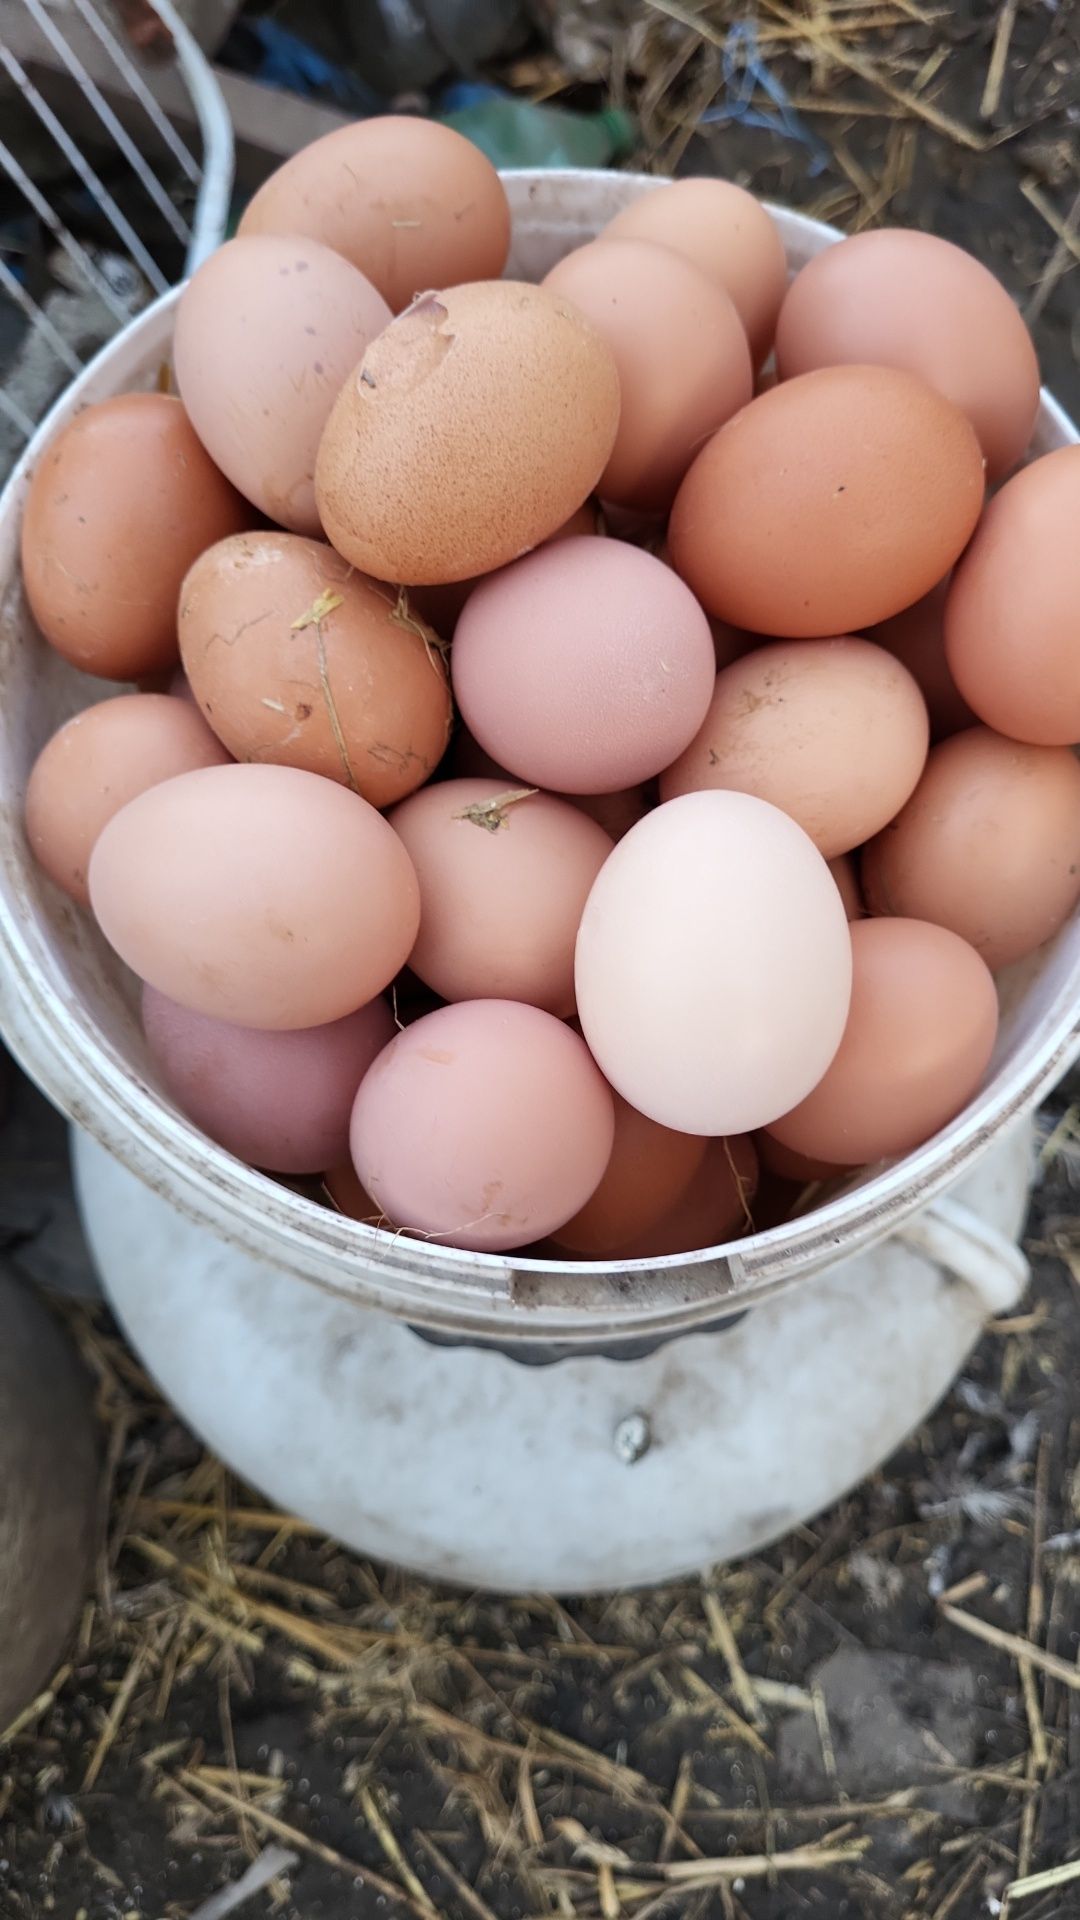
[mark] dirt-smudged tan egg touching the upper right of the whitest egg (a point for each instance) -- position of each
(831, 731)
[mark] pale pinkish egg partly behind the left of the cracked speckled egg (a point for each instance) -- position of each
(266, 333)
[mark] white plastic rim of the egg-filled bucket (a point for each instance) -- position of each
(504, 1297)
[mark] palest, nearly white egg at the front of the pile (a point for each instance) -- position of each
(714, 965)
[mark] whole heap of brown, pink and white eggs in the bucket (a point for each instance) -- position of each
(595, 742)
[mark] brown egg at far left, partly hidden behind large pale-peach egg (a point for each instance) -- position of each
(97, 763)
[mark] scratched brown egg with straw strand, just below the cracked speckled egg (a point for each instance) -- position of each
(301, 661)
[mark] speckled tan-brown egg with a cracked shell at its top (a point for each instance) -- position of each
(472, 431)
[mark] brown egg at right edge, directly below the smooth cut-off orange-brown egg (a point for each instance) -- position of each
(989, 846)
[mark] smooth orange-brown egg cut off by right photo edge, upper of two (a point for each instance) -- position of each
(1012, 615)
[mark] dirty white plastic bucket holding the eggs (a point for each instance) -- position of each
(343, 1370)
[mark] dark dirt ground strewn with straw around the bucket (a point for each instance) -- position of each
(875, 1719)
